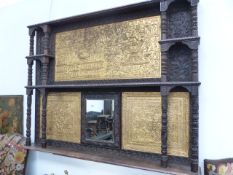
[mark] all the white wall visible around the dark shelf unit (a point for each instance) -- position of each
(215, 65)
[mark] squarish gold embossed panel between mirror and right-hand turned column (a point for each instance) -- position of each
(141, 121)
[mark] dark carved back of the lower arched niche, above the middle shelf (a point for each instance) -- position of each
(179, 63)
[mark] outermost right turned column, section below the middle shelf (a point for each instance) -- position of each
(194, 130)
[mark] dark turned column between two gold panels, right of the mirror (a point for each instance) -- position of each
(164, 156)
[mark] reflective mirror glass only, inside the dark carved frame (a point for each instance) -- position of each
(99, 119)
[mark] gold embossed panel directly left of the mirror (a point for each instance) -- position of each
(64, 117)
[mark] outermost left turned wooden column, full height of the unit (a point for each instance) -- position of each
(29, 90)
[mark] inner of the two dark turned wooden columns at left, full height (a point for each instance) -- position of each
(44, 81)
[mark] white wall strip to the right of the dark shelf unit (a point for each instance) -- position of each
(215, 73)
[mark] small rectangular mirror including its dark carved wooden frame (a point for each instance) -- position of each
(100, 119)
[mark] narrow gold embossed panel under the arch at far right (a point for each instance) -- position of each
(178, 124)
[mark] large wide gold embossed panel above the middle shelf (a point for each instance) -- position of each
(121, 50)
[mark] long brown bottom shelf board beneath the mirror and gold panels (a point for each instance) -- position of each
(117, 160)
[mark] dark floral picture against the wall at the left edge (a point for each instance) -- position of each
(11, 114)
